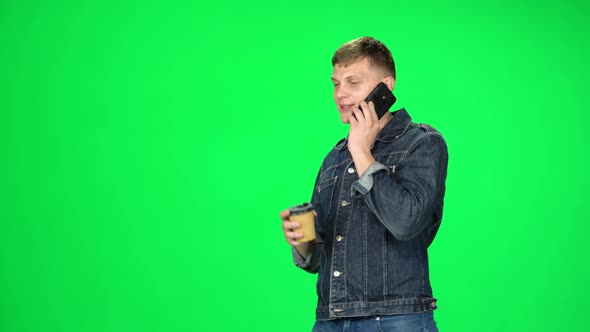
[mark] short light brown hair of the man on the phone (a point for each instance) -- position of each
(365, 47)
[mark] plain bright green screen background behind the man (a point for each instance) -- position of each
(147, 148)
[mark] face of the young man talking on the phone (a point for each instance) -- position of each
(352, 84)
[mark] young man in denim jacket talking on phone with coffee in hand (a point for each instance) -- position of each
(378, 199)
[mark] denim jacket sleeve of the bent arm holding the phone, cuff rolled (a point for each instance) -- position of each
(404, 198)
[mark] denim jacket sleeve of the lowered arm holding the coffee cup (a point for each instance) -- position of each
(311, 264)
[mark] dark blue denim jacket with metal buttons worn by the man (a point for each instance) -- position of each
(373, 232)
